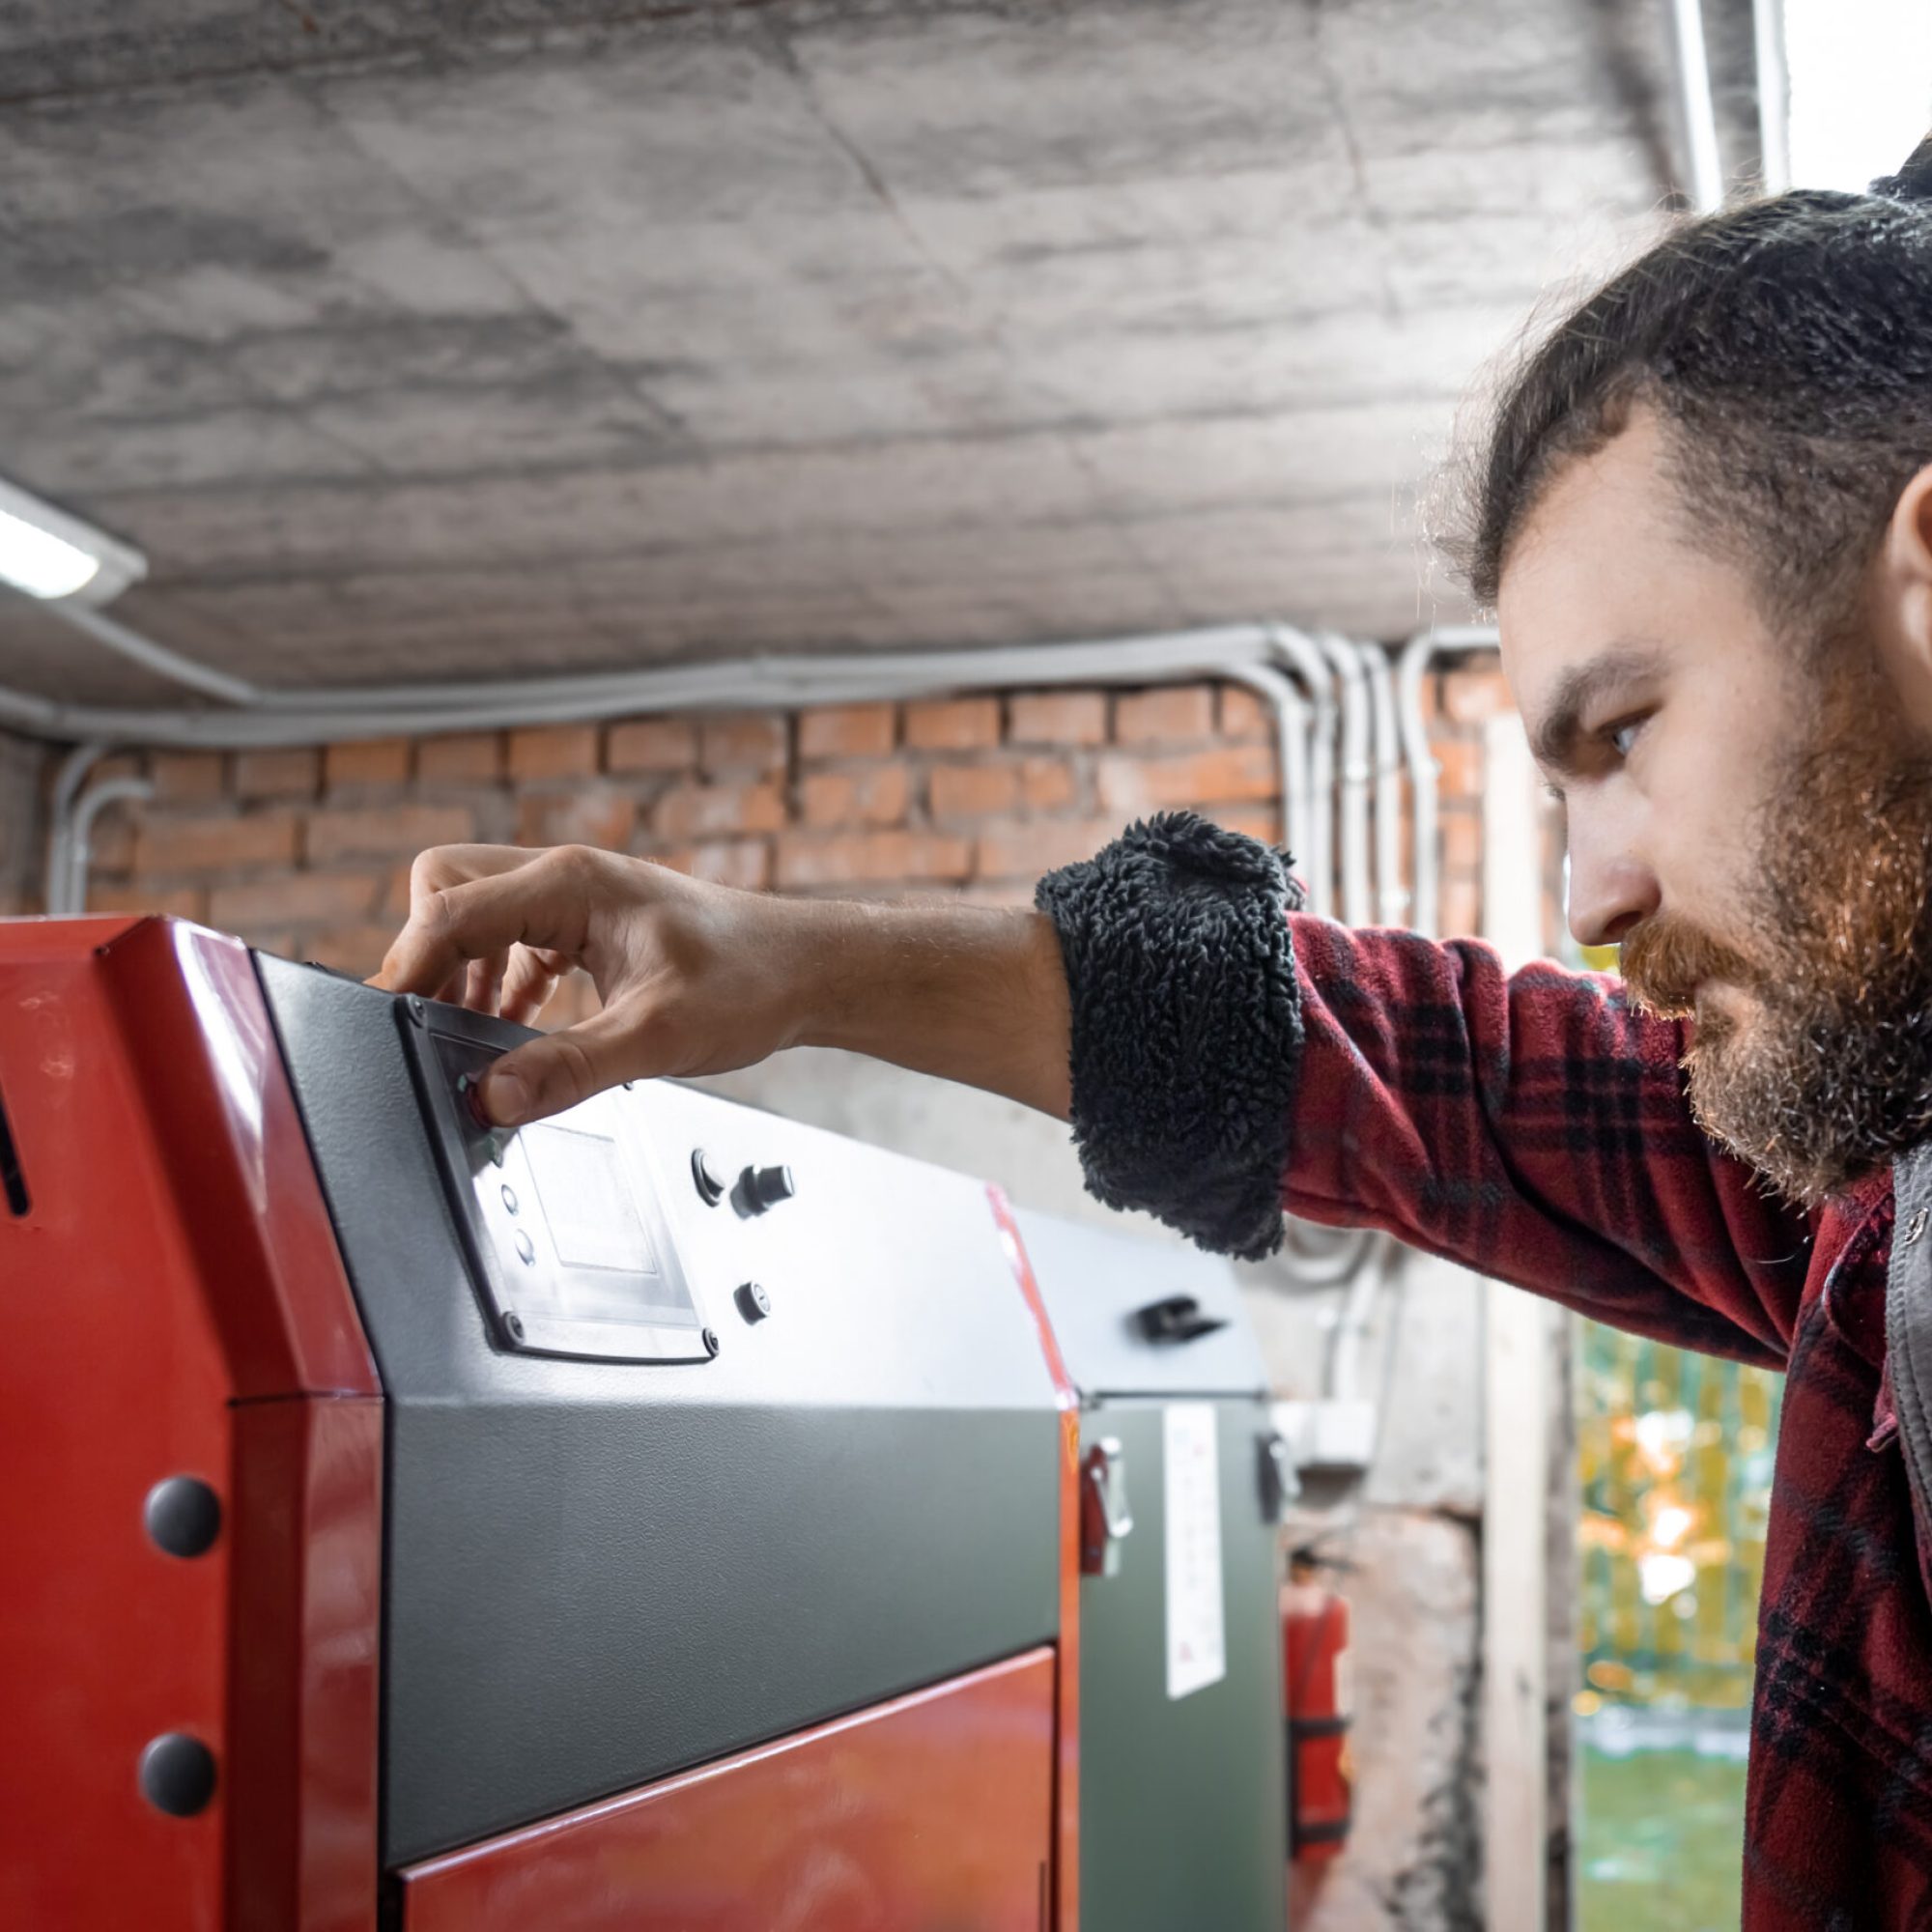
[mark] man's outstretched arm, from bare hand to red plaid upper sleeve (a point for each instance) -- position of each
(1218, 1052)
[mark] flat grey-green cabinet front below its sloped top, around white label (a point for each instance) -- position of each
(1183, 1802)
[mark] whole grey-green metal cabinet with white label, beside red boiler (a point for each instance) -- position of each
(1183, 1782)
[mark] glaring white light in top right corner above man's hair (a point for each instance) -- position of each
(1861, 88)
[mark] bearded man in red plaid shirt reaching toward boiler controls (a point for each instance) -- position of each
(1705, 521)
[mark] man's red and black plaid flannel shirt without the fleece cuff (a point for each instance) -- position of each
(1537, 1129)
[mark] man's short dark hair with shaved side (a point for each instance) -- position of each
(1788, 349)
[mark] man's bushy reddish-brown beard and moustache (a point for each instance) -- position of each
(1829, 1073)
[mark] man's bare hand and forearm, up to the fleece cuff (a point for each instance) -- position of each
(702, 979)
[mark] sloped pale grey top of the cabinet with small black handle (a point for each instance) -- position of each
(1094, 1280)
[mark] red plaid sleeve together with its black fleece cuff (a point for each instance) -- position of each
(1234, 1054)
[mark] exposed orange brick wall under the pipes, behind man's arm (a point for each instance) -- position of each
(306, 851)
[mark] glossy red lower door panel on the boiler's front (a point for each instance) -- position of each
(932, 1813)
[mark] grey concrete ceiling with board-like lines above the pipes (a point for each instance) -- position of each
(434, 337)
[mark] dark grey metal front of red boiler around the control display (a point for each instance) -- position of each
(600, 1574)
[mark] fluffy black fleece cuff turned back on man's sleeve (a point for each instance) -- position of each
(1187, 1027)
